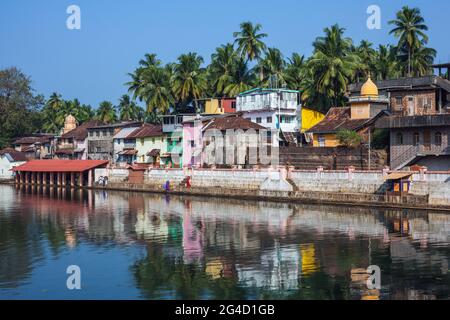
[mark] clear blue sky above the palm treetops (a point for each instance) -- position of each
(92, 63)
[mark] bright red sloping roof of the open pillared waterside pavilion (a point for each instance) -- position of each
(60, 165)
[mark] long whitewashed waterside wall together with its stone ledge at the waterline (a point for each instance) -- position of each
(429, 190)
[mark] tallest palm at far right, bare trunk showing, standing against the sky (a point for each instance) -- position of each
(409, 28)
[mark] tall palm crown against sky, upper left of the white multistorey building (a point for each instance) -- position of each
(249, 41)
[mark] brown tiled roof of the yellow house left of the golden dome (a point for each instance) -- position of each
(336, 119)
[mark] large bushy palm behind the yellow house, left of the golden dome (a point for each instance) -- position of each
(332, 65)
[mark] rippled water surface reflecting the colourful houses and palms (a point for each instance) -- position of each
(133, 245)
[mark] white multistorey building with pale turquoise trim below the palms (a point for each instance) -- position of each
(271, 108)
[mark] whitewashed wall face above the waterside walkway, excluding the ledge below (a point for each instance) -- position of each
(434, 185)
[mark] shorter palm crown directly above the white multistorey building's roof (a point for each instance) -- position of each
(272, 68)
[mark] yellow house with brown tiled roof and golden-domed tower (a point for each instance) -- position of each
(359, 116)
